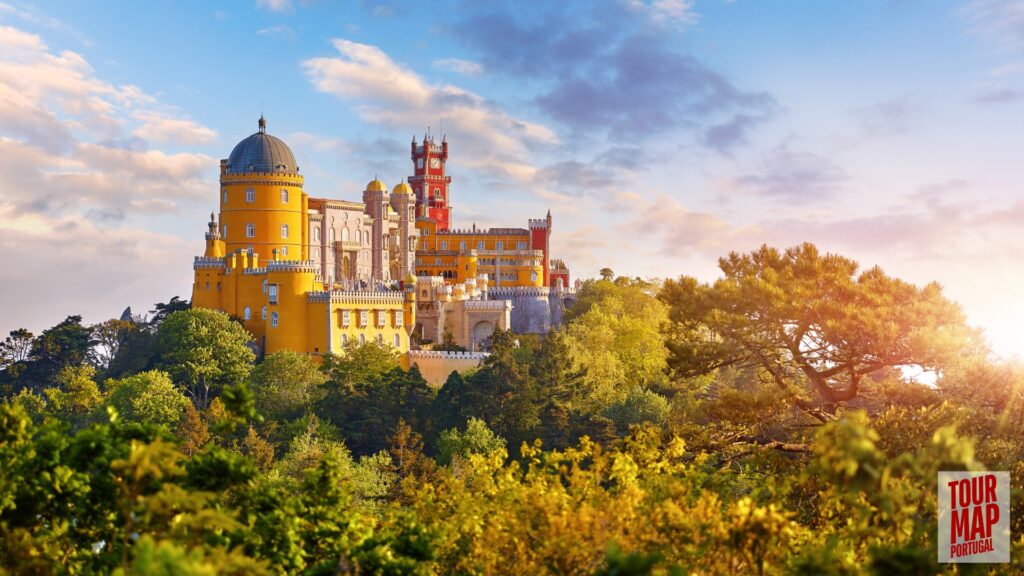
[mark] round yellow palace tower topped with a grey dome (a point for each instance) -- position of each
(263, 207)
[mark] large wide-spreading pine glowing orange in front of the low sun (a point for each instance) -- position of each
(813, 323)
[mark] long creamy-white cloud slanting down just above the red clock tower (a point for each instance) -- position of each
(394, 96)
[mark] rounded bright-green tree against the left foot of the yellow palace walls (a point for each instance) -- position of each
(204, 351)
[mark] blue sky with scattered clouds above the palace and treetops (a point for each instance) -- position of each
(662, 135)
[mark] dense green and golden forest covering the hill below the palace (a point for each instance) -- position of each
(788, 419)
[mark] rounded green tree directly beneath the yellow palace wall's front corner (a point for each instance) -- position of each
(285, 385)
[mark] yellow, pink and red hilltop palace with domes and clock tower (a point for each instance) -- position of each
(312, 275)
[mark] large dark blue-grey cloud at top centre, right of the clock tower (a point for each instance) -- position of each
(605, 70)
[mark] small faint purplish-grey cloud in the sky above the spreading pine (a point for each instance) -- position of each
(788, 174)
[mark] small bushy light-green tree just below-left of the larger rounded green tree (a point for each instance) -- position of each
(148, 397)
